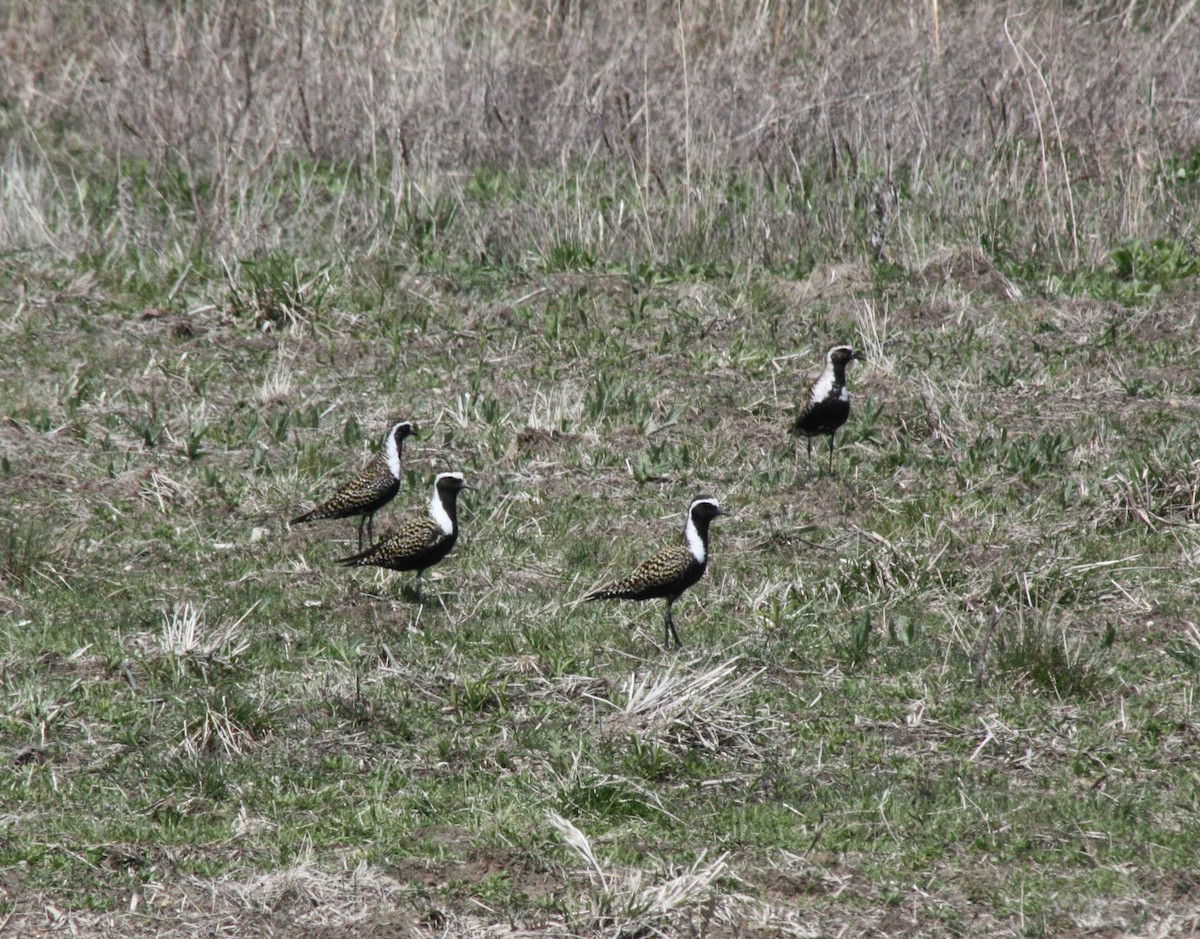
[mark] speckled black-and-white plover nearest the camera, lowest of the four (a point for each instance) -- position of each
(673, 570)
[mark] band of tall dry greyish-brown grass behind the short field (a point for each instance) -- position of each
(1037, 127)
